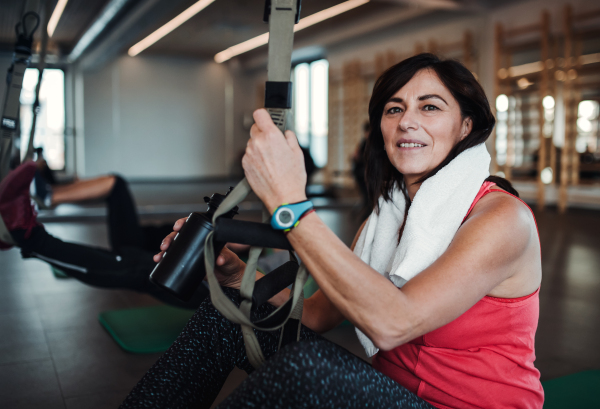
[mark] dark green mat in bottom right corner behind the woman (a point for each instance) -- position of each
(580, 390)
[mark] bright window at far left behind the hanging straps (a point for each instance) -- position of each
(50, 124)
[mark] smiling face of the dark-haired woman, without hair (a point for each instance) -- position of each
(421, 123)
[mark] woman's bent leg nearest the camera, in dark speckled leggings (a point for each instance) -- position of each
(320, 374)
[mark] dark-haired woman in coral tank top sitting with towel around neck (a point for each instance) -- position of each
(441, 282)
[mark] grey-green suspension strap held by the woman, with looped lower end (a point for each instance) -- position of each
(281, 15)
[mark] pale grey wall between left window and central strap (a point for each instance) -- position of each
(155, 118)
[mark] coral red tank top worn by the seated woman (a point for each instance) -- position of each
(482, 359)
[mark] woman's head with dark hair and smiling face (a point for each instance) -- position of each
(443, 101)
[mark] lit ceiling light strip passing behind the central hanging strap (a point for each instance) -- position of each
(302, 24)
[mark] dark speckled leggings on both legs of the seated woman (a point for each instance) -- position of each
(313, 373)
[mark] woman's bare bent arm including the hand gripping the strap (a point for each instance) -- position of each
(487, 250)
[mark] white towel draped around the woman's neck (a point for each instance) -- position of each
(435, 214)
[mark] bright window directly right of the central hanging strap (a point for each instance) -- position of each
(310, 108)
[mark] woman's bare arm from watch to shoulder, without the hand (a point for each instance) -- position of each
(475, 263)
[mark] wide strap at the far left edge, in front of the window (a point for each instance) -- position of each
(14, 82)
